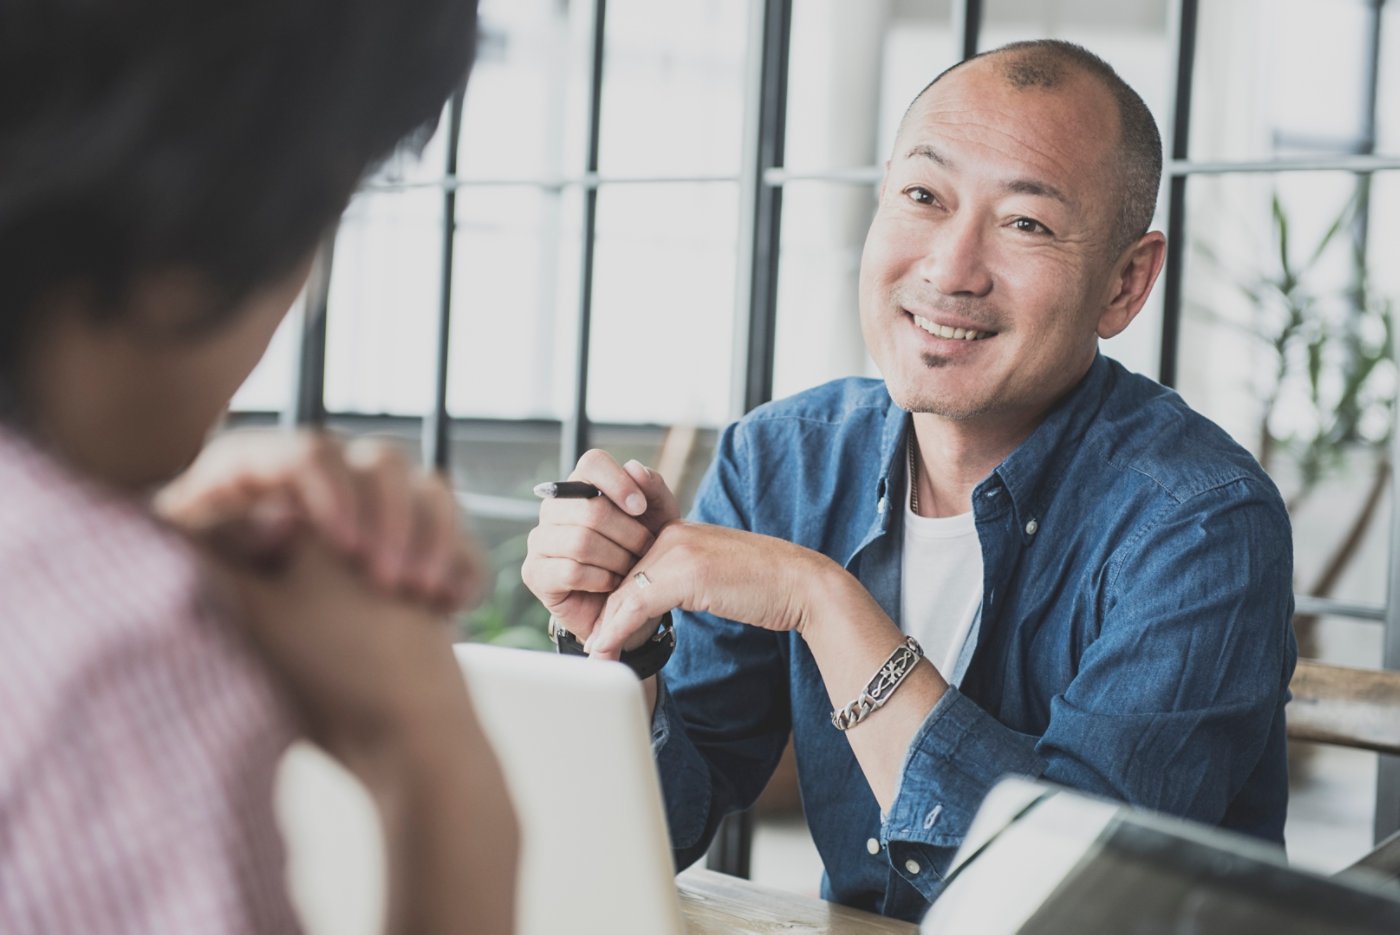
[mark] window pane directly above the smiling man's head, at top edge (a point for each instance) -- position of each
(1132, 37)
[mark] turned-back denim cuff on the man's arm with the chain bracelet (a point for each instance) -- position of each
(954, 761)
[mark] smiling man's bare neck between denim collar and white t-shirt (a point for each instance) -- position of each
(955, 457)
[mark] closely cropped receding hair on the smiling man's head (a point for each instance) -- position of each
(1048, 64)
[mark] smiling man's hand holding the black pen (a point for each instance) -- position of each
(583, 549)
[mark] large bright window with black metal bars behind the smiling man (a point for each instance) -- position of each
(645, 244)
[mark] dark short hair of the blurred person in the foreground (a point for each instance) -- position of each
(220, 138)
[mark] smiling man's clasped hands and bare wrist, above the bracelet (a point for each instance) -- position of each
(610, 568)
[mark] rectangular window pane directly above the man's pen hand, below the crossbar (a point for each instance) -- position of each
(664, 295)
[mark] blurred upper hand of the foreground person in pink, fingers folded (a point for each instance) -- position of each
(363, 499)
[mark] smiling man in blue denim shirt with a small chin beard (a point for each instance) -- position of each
(1011, 556)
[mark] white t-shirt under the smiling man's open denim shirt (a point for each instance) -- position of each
(941, 586)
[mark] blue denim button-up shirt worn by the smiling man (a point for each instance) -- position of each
(1136, 635)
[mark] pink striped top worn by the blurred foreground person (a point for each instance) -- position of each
(138, 737)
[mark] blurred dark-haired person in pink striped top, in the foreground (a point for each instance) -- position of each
(166, 174)
